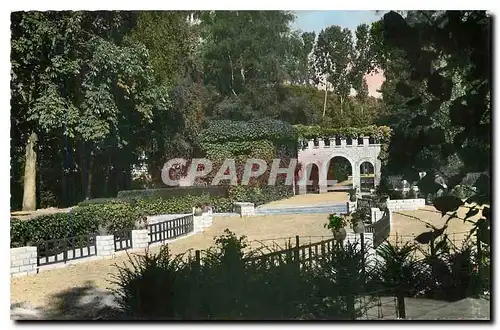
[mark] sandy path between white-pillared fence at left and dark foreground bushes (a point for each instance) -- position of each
(38, 289)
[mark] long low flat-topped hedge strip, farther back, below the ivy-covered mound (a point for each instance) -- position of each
(166, 193)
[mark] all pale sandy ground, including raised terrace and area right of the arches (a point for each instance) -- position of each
(38, 289)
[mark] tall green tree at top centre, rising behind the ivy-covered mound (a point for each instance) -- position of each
(244, 56)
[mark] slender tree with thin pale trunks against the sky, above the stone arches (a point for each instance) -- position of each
(333, 58)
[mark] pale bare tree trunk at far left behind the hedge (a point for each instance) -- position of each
(29, 192)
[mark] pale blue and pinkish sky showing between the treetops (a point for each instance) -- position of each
(316, 20)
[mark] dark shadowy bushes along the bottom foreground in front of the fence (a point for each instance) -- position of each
(224, 284)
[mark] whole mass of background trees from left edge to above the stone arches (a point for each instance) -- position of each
(95, 94)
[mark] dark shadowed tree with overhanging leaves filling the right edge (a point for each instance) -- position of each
(447, 84)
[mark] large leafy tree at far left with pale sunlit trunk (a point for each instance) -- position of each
(73, 76)
